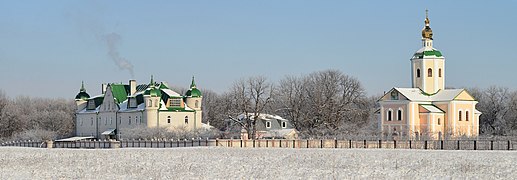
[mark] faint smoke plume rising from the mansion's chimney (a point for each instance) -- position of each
(112, 40)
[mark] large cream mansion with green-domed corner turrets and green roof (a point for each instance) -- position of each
(123, 106)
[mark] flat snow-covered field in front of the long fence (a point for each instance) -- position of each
(271, 163)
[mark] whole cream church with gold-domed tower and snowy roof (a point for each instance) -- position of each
(428, 109)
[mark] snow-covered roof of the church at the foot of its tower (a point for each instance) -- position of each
(415, 94)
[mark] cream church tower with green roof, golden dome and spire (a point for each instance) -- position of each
(428, 64)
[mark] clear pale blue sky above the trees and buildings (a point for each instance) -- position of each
(48, 47)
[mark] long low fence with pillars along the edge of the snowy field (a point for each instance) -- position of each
(281, 143)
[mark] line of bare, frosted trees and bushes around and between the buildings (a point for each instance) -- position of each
(325, 103)
